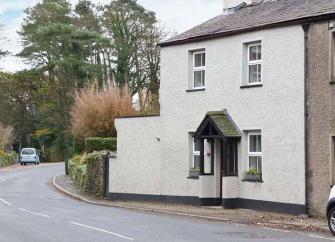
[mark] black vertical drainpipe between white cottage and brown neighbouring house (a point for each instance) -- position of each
(305, 27)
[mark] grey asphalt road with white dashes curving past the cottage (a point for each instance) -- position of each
(32, 210)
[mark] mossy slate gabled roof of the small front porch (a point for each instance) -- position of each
(222, 124)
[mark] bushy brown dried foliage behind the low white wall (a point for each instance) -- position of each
(94, 111)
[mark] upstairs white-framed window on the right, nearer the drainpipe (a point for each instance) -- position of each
(254, 63)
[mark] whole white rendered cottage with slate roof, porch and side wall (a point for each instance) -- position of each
(232, 127)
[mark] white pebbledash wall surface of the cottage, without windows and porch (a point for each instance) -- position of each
(152, 156)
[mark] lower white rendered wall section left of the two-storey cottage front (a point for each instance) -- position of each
(137, 167)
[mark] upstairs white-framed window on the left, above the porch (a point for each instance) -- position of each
(199, 69)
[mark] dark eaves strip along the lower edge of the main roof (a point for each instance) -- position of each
(248, 29)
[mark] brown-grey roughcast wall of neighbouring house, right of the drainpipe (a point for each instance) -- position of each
(321, 121)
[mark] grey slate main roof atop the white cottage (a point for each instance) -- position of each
(266, 14)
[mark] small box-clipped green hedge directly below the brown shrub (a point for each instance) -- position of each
(99, 144)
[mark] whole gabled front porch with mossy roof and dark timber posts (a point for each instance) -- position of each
(219, 137)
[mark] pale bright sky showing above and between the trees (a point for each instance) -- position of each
(176, 15)
